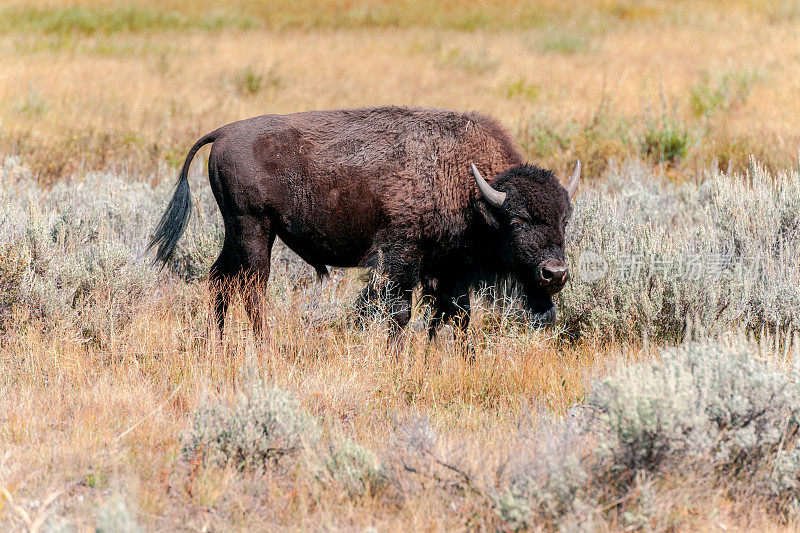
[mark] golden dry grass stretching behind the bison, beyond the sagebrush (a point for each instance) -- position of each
(592, 80)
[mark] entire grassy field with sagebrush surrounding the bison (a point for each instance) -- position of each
(117, 413)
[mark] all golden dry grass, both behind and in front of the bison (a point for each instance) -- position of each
(128, 87)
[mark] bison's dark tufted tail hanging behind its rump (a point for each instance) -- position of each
(175, 219)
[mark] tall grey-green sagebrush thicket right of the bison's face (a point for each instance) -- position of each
(680, 258)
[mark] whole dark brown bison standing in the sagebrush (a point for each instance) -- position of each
(396, 189)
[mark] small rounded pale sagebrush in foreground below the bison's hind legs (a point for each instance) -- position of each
(262, 426)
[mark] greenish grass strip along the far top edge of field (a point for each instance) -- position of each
(458, 15)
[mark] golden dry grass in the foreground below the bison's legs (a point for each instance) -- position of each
(87, 422)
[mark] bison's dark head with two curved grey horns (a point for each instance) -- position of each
(530, 209)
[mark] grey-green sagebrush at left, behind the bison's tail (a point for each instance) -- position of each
(83, 244)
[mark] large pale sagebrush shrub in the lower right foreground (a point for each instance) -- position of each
(697, 405)
